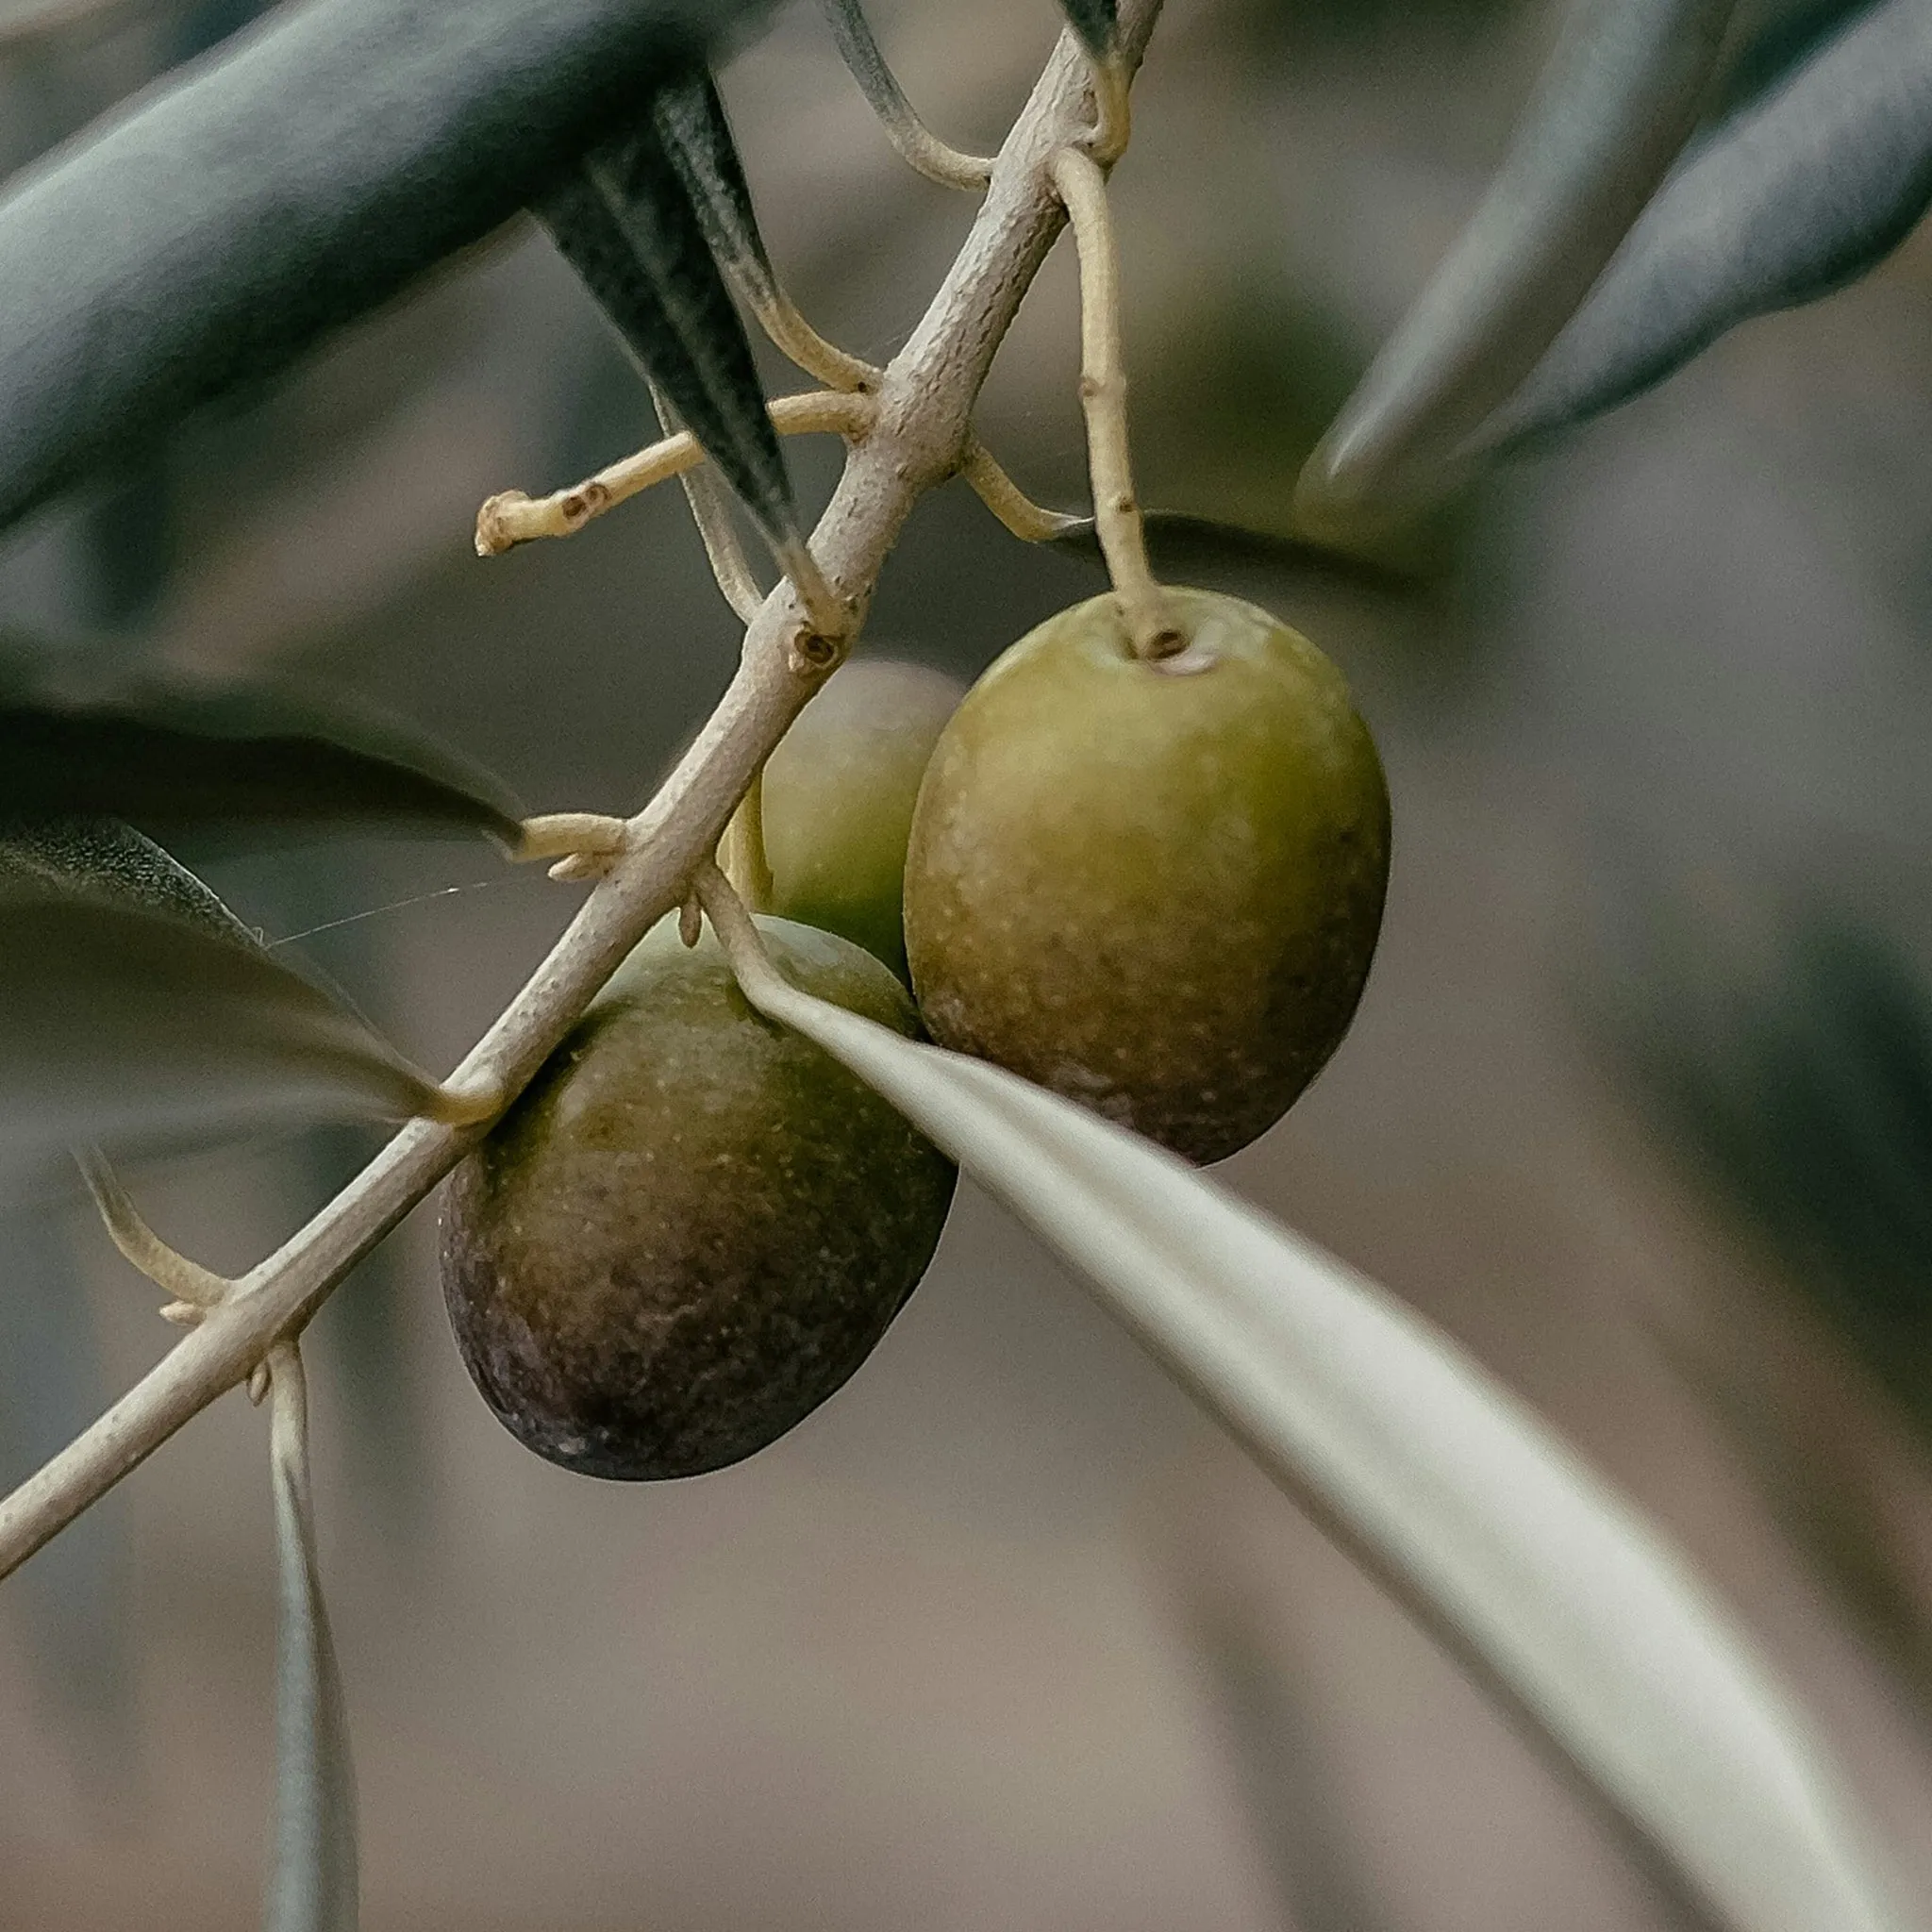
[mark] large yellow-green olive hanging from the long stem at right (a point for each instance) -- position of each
(1152, 886)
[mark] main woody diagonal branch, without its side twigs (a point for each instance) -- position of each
(915, 443)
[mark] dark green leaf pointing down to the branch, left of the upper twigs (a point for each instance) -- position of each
(629, 227)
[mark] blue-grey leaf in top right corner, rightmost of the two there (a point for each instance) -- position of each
(1796, 194)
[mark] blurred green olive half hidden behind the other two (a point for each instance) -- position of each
(839, 795)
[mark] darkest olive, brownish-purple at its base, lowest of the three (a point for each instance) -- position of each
(695, 1226)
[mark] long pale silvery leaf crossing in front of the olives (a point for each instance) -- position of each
(1471, 1506)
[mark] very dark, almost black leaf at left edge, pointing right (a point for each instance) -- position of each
(241, 760)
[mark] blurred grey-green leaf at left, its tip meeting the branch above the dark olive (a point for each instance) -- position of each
(127, 1025)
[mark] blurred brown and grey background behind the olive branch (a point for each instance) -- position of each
(1006, 1637)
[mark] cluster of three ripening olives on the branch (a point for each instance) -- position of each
(1151, 884)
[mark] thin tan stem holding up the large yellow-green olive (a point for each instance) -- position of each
(1083, 186)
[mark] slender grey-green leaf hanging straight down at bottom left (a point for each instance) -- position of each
(314, 1871)
